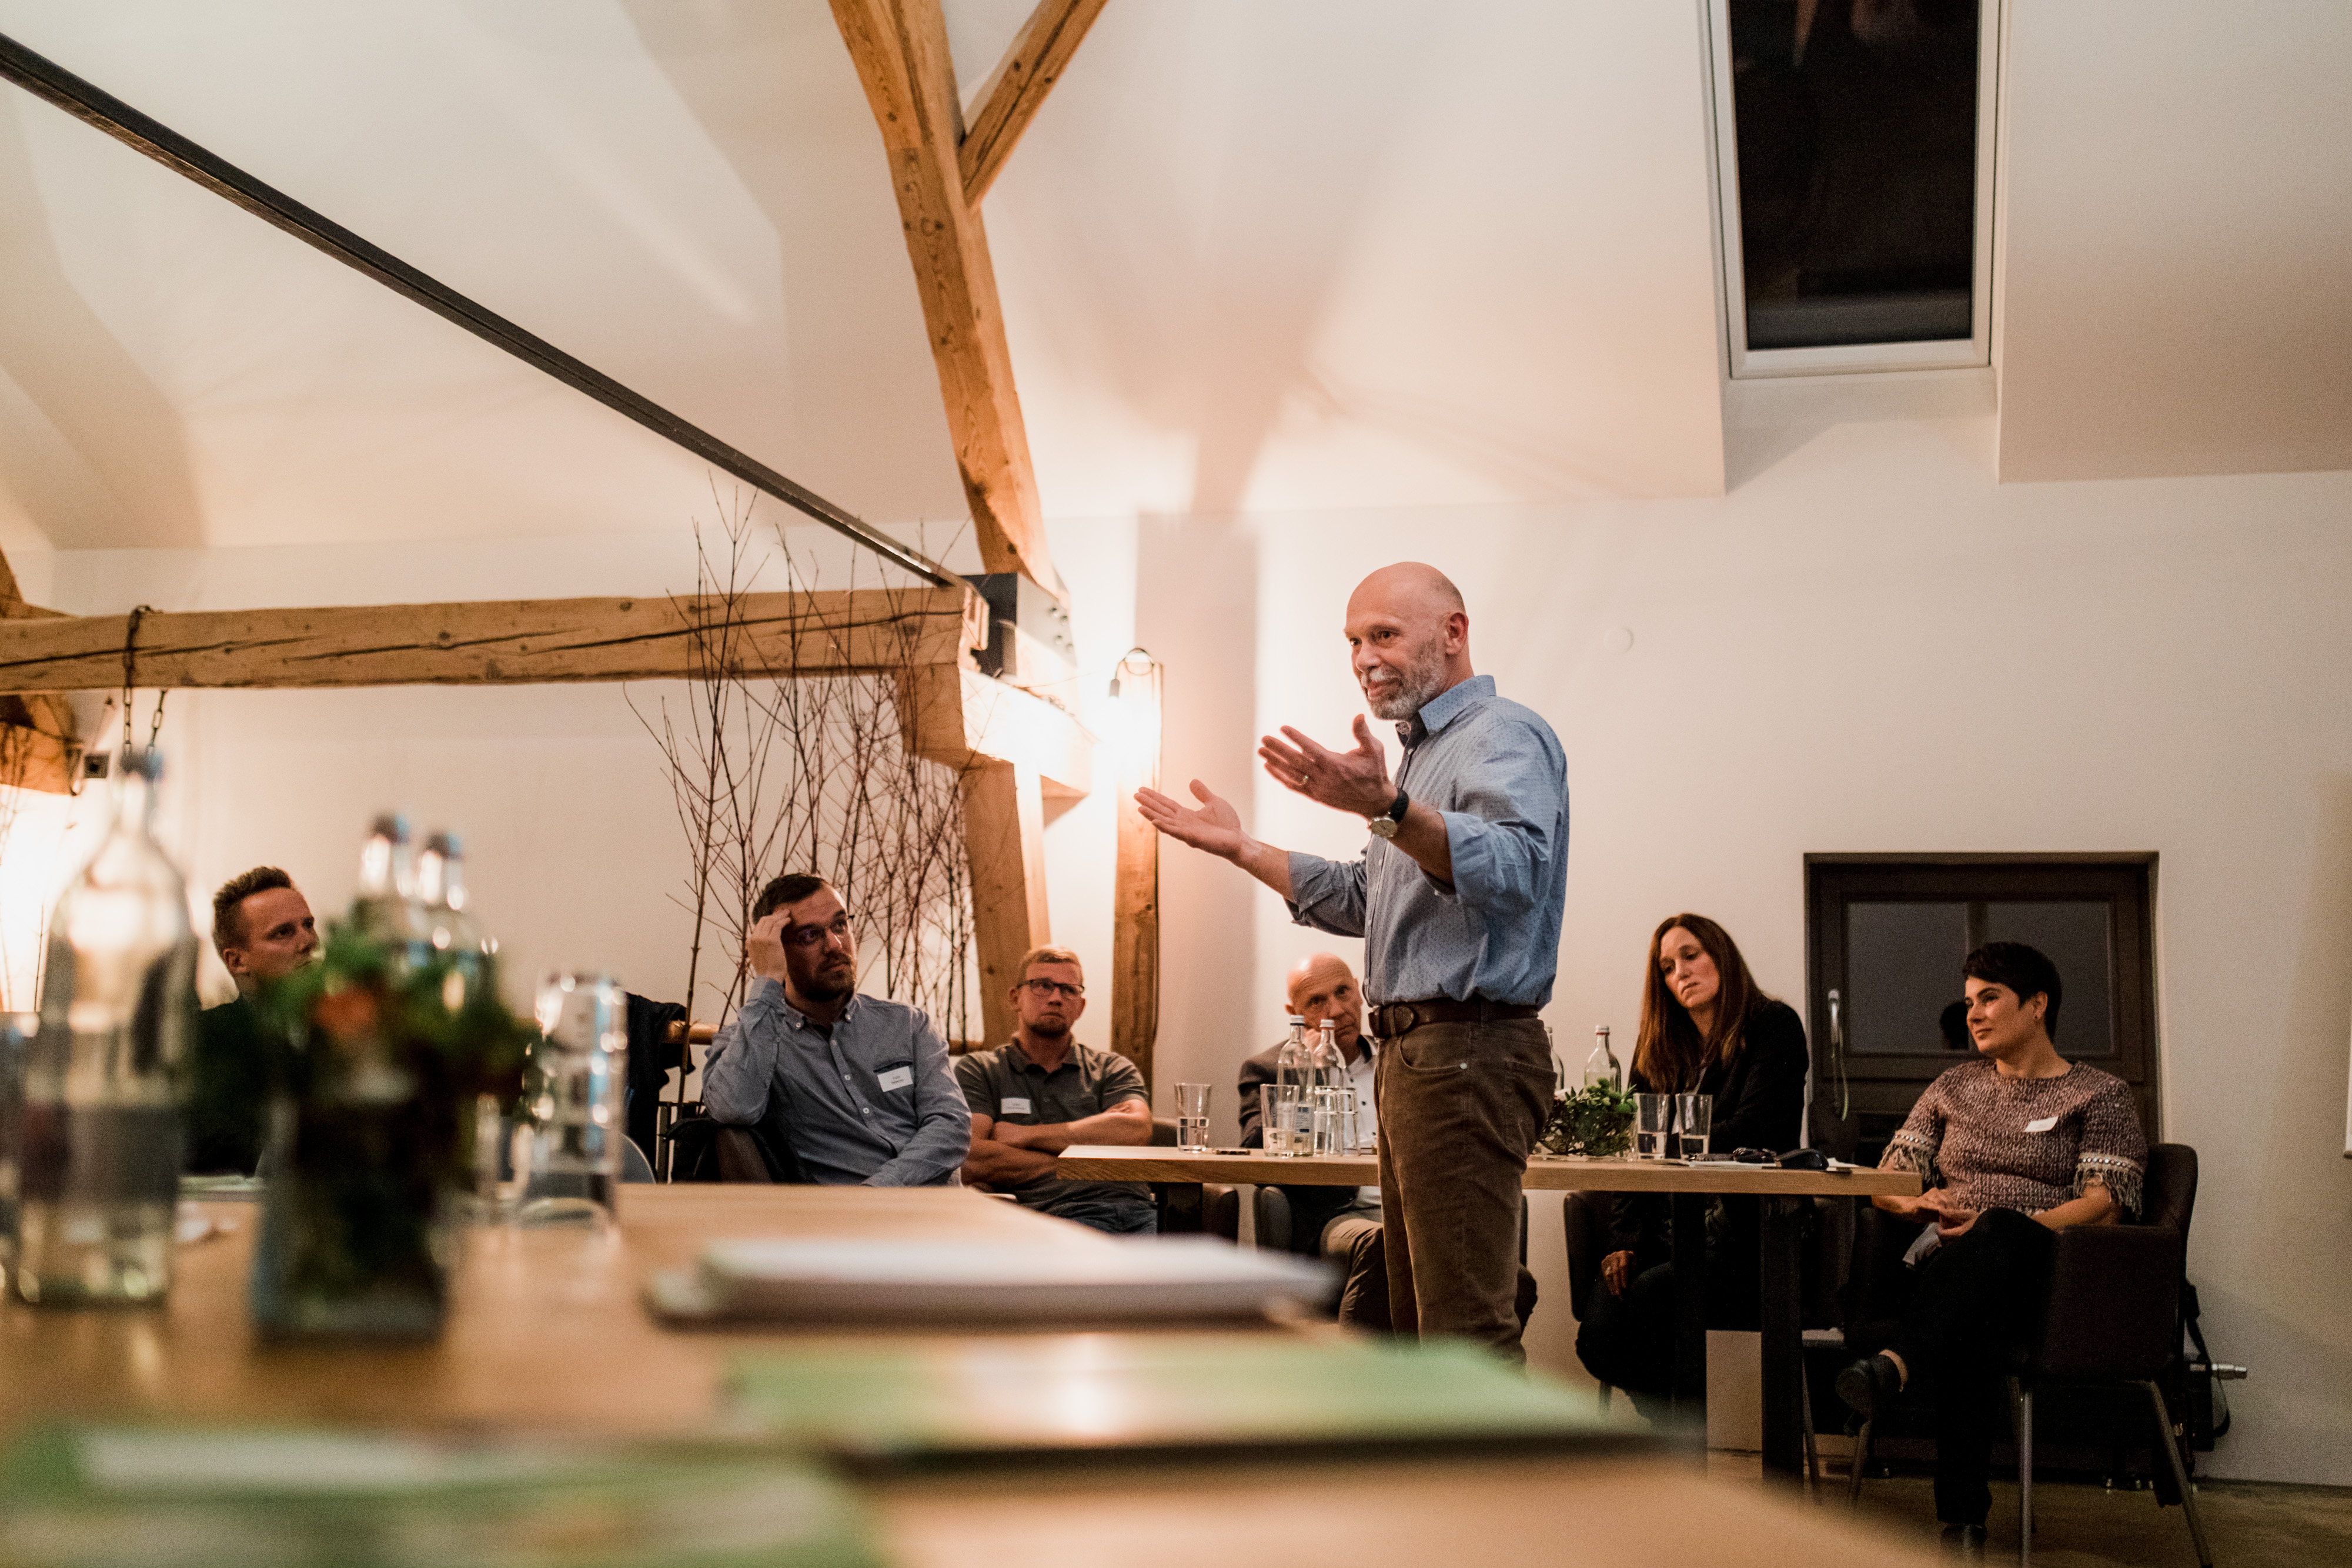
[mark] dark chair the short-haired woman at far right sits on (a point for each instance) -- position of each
(2113, 1320)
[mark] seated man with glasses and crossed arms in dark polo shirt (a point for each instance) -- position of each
(1043, 1094)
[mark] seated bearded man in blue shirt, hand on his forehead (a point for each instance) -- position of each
(860, 1087)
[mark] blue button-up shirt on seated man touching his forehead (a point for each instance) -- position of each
(867, 1104)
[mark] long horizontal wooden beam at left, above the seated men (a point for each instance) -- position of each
(507, 643)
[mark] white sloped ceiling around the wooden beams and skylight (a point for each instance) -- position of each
(1255, 257)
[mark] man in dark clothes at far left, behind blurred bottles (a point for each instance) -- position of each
(265, 930)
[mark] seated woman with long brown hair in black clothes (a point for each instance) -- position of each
(1706, 1028)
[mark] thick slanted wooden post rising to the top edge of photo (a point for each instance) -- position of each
(902, 58)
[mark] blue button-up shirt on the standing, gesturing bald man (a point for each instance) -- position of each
(1497, 775)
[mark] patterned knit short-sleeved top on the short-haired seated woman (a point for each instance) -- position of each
(2024, 1144)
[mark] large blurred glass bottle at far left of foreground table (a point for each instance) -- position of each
(105, 1080)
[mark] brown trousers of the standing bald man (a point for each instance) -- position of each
(1462, 1106)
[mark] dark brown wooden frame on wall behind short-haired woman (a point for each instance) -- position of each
(1890, 1083)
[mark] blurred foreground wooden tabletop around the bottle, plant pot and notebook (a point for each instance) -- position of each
(549, 1332)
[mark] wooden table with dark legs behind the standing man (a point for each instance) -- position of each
(1690, 1188)
